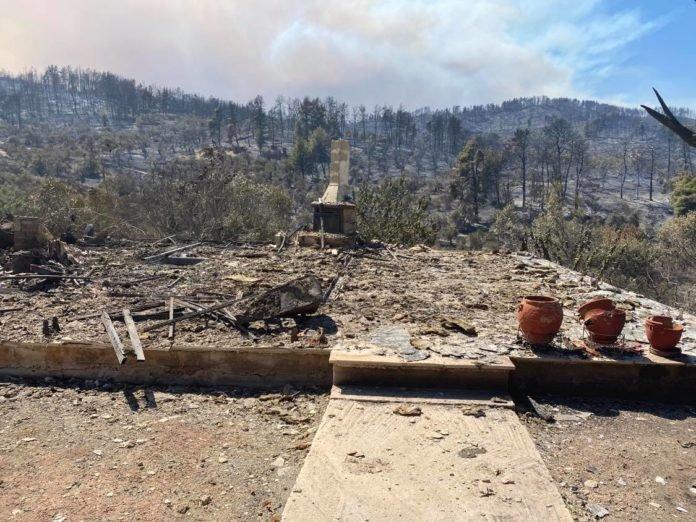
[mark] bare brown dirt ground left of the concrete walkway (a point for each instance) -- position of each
(94, 451)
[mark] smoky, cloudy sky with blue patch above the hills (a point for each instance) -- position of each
(435, 53)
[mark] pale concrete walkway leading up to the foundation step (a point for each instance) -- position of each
(464, 457)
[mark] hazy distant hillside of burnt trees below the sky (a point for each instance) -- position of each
(391, 139)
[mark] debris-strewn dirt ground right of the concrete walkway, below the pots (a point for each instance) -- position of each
(636, 460)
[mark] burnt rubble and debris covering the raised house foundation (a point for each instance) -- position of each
(414, 303)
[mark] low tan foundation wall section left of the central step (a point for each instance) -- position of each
(261, 367)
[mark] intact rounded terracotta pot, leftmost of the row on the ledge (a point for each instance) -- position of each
(539, 318)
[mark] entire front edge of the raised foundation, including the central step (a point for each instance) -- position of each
(652, 379)
